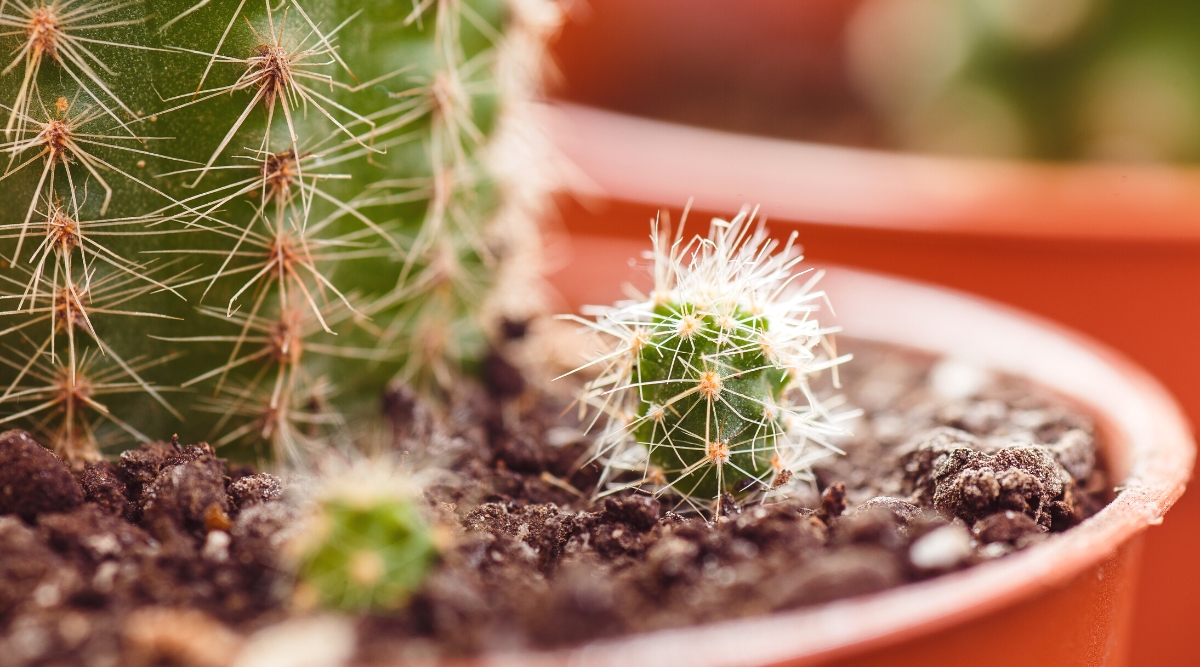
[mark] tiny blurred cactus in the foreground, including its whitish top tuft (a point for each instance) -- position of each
(365, 545)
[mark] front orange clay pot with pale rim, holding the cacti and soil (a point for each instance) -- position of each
(1065, 602)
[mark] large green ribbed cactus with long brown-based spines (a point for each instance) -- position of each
(262, 212)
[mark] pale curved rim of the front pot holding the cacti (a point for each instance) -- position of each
(1147, 437)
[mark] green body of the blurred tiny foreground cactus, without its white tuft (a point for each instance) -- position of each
(365, 556)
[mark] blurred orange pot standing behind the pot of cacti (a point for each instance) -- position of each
(1113, 251)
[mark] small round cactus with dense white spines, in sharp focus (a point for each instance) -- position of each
(706, 381)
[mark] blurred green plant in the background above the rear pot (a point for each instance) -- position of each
(1112, 80)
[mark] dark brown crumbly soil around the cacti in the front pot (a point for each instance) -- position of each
(171, 557)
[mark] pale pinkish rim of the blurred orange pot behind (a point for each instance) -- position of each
(656, 163)
